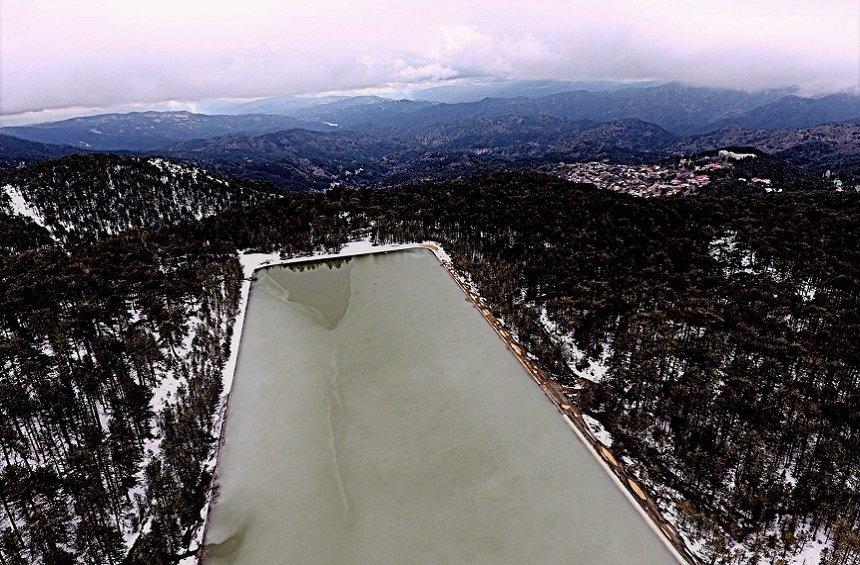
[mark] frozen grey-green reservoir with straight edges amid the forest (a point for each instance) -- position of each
(376, 418)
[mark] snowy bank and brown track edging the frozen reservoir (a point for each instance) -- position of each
(252, 263)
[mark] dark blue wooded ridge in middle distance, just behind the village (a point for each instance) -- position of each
(390, 155)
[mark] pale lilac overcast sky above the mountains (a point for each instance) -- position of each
(56, 54)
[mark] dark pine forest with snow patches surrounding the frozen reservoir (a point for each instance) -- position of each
(715, 339)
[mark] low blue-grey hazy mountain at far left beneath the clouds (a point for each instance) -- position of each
(143, 131)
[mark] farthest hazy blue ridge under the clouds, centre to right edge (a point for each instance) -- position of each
(680, 109)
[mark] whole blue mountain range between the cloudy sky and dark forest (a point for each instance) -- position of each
(368, 140)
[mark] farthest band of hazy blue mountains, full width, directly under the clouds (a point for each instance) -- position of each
(679, 109)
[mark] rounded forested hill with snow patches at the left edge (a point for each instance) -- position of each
(82, 198)
